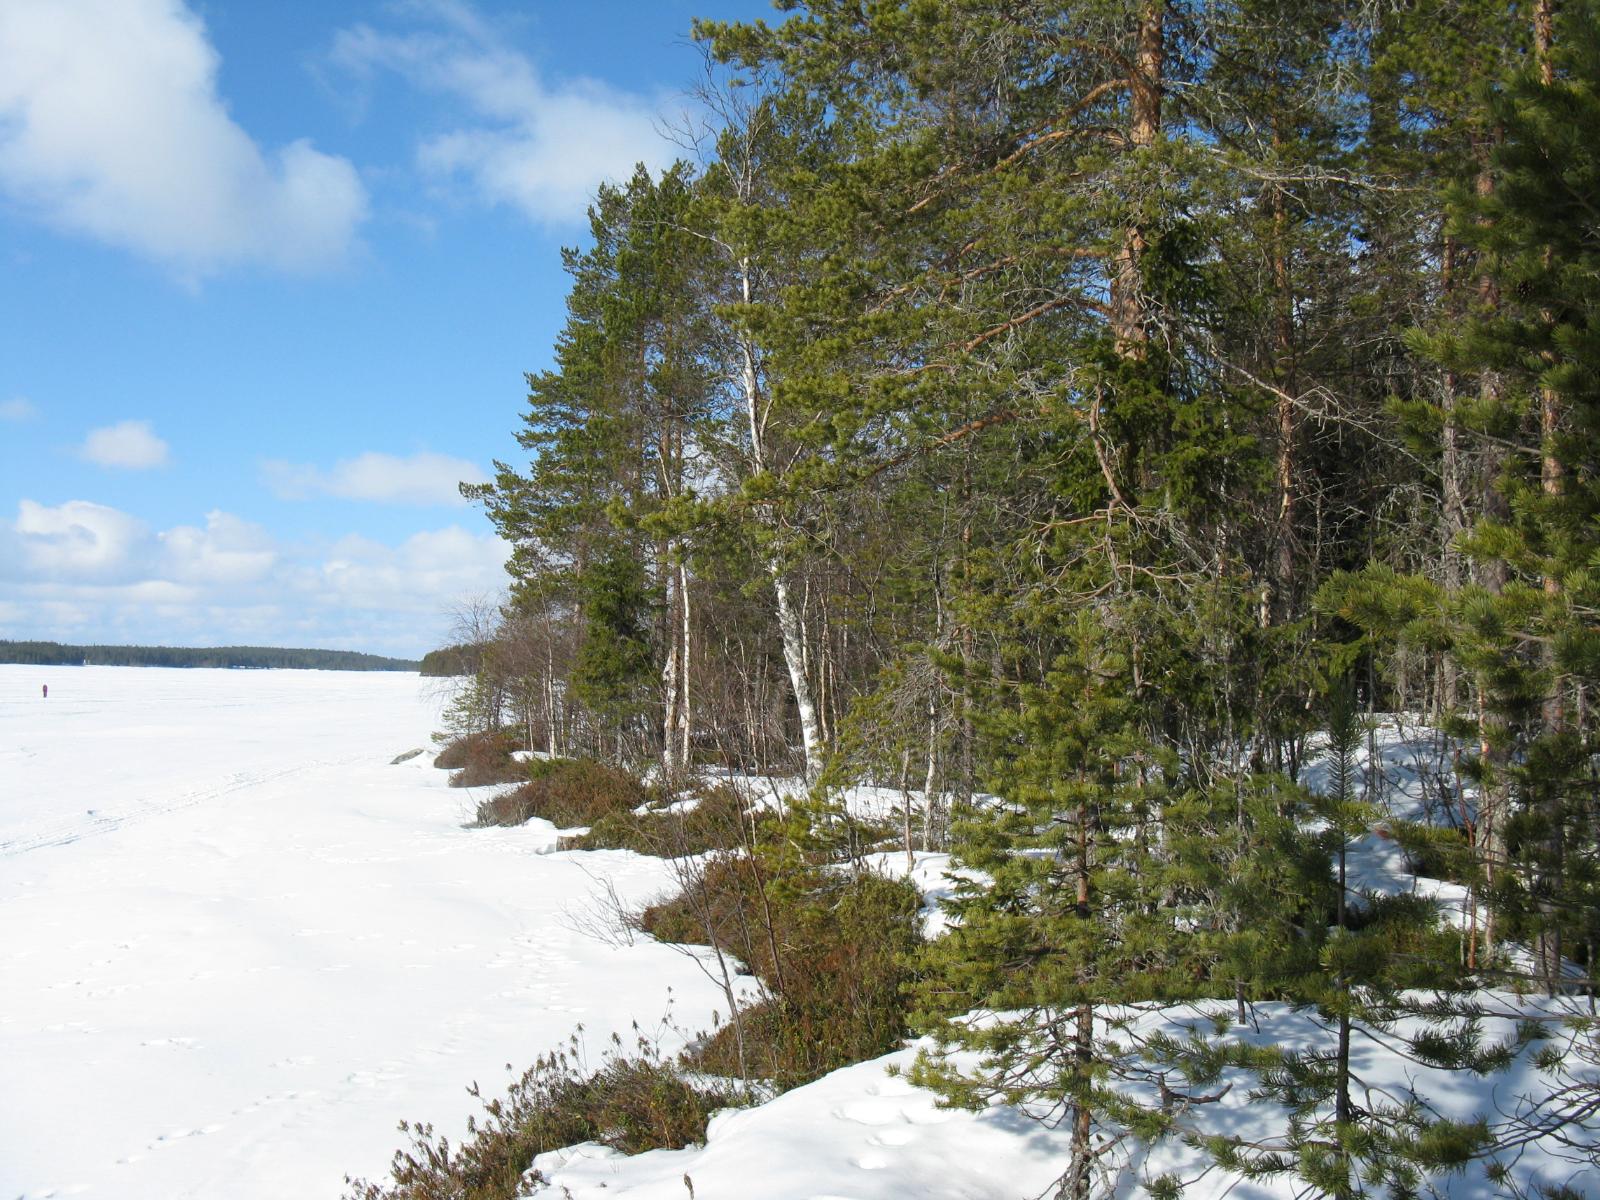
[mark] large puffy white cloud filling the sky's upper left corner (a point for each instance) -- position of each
(111, 126)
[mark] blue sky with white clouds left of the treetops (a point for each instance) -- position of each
(273, 274)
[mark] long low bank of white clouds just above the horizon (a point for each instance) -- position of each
(92, 574)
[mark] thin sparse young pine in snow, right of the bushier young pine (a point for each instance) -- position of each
(1388, 974)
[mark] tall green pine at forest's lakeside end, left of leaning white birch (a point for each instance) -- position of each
(612, 434)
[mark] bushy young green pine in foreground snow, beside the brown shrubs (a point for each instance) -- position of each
(1070, 914)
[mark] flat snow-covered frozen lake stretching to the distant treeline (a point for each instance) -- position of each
(238, 943)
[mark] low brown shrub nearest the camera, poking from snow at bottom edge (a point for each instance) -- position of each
(631, 1105)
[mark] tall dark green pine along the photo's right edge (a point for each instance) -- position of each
(1532, 642)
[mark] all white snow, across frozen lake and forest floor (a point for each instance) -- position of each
(238, 943)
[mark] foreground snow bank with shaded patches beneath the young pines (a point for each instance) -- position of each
(866, 1134)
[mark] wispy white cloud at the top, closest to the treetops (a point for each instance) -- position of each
(534, 146)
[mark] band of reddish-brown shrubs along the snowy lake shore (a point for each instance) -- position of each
(828, 942)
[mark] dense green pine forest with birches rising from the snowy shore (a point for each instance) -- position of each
(1100, 426)
